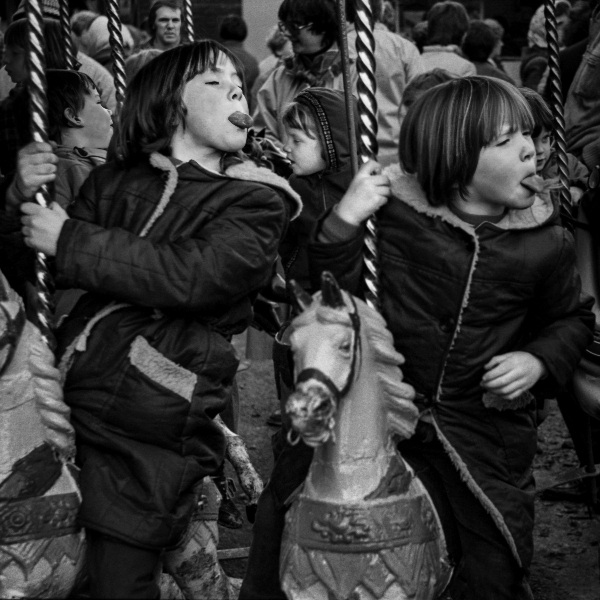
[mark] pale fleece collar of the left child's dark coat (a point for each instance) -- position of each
(246, 171)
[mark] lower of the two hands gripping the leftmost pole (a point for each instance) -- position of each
(42, 226)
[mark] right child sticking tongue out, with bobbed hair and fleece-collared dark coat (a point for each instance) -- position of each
(481, 294)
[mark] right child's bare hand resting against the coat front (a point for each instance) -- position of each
(509, 375)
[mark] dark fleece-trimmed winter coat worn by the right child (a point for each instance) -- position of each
(454, 297)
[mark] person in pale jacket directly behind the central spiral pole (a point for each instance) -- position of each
(398, 61)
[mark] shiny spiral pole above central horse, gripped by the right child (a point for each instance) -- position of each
(368, 147)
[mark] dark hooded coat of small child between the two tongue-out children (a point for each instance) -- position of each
(321, 191)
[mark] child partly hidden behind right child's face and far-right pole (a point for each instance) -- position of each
(545, 155)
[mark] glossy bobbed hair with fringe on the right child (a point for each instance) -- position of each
(445, 130)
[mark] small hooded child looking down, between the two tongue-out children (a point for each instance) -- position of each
(317, 145)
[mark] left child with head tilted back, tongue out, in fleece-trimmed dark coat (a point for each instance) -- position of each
(172, 250)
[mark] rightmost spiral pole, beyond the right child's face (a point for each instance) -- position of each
(557, 106)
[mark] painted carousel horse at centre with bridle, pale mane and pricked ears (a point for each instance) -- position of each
(362, 526)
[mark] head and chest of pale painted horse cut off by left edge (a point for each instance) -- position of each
(41, 550)
